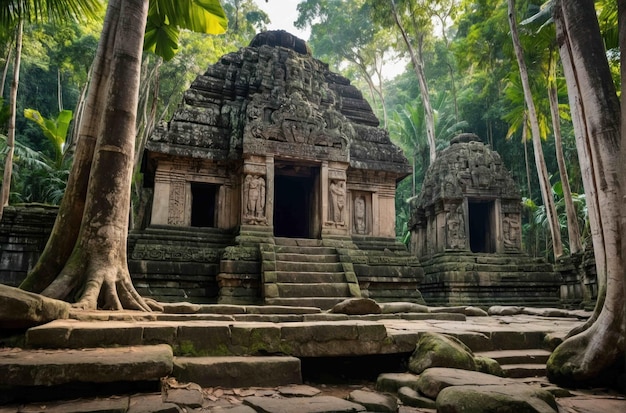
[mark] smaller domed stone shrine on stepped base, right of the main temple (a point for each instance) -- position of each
(466, 230)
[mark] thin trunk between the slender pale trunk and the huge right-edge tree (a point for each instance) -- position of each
(573, 231)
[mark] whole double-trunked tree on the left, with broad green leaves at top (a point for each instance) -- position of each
(85, 258)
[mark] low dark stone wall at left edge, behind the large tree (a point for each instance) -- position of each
(24, 231)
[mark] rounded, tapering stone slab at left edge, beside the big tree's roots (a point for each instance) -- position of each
(22, 309)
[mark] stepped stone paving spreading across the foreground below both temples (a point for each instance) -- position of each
(247, 359)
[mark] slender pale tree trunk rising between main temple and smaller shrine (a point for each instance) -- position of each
(418, 65)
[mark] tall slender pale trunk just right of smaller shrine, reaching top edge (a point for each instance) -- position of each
(542, 170)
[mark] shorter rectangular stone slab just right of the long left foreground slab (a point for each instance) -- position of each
(238, 371)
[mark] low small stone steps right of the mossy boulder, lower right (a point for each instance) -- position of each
(520, 363)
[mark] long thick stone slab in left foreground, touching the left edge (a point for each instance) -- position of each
(95, 365)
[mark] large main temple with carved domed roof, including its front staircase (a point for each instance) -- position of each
(276, 179)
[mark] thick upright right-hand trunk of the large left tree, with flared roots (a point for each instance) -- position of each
(96, 274)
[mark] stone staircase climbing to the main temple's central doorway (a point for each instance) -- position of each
(304, 272)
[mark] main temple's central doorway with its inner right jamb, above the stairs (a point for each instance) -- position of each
(296, 198)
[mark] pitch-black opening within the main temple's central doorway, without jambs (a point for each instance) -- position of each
(293, 205)
